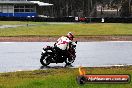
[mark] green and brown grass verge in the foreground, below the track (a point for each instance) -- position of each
(59, 78)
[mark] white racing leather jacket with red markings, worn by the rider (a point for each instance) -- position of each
(63, 43)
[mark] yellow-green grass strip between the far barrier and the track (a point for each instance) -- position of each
(79, 29)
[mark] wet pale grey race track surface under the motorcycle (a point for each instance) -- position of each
(17, 56)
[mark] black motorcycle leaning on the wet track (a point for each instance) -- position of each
(55, 55)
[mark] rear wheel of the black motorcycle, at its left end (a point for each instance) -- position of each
(45, 59)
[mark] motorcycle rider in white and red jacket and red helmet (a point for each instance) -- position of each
(63, 42)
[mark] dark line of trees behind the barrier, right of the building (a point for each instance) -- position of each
(83, 8)
